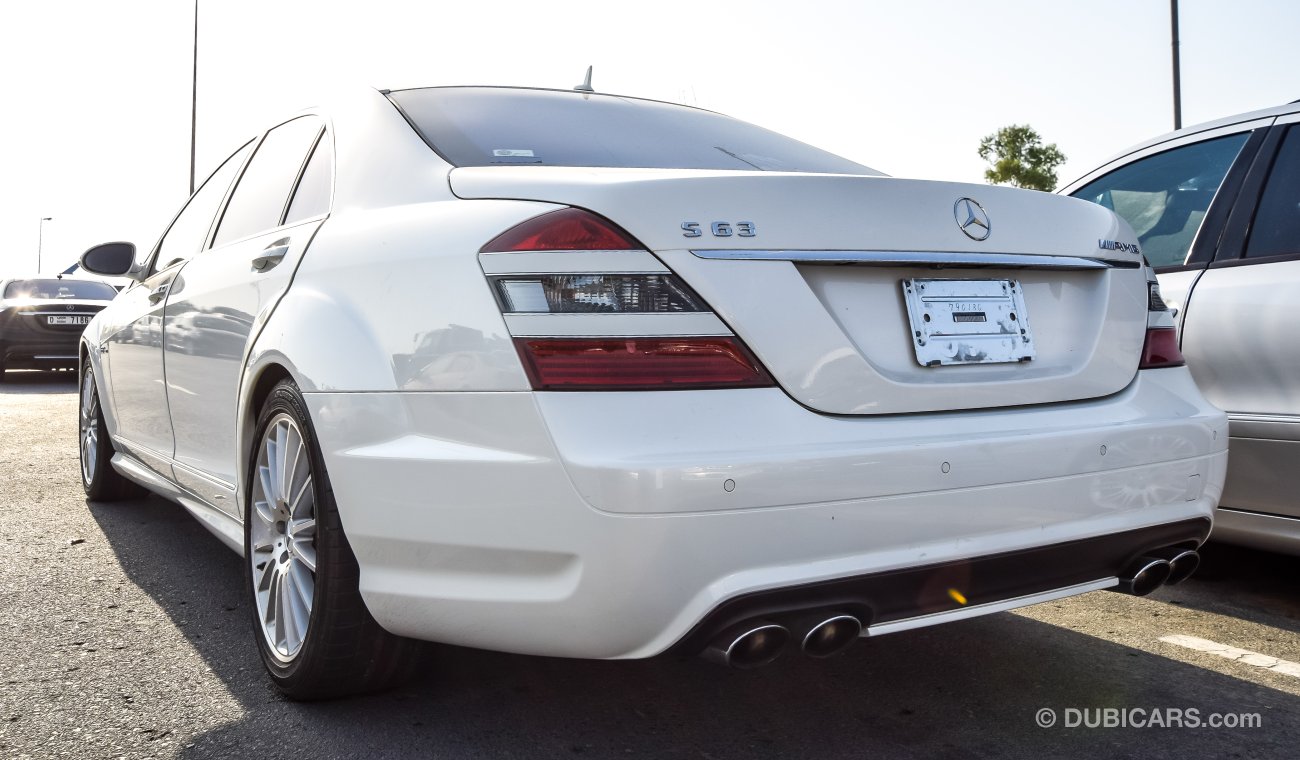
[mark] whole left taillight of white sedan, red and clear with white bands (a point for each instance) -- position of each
(592, 310)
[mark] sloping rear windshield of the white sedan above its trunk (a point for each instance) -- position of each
(487, 127)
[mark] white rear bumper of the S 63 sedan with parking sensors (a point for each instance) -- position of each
(613, 526)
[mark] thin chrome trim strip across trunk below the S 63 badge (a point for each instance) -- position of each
(924, 259)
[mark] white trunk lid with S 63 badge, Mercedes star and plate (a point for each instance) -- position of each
(864, 296)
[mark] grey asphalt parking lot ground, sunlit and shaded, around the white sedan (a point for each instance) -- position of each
(124, 635)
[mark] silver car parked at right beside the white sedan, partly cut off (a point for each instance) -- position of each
(1217, 214)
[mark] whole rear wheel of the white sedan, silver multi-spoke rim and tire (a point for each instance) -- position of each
(314, 632)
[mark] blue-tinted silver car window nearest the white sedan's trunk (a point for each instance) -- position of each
(1165, 197)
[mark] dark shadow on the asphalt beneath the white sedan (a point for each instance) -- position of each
(964, 690)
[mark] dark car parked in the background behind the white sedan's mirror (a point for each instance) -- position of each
(42, 320)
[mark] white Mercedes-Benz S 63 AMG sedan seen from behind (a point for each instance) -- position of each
(584, 376)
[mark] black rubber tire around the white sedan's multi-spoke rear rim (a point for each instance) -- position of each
(344, 650)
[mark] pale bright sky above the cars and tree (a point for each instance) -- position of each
(97, 97)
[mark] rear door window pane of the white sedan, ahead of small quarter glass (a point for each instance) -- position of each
(259, 201)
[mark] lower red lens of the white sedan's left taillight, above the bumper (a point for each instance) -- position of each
(630, 364)
